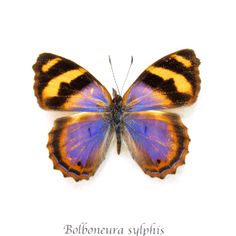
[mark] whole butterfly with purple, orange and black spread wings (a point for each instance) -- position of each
(157, 139)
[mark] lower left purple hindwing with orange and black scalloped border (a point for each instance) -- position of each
(78, 143)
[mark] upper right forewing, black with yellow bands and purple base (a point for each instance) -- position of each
(172, 81)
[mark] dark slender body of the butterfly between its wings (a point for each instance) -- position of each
(117, 117)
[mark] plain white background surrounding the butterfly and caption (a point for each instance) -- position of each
(37, 200)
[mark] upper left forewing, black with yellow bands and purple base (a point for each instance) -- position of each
(61, 84)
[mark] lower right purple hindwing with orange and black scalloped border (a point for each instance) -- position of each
(158, 141)
